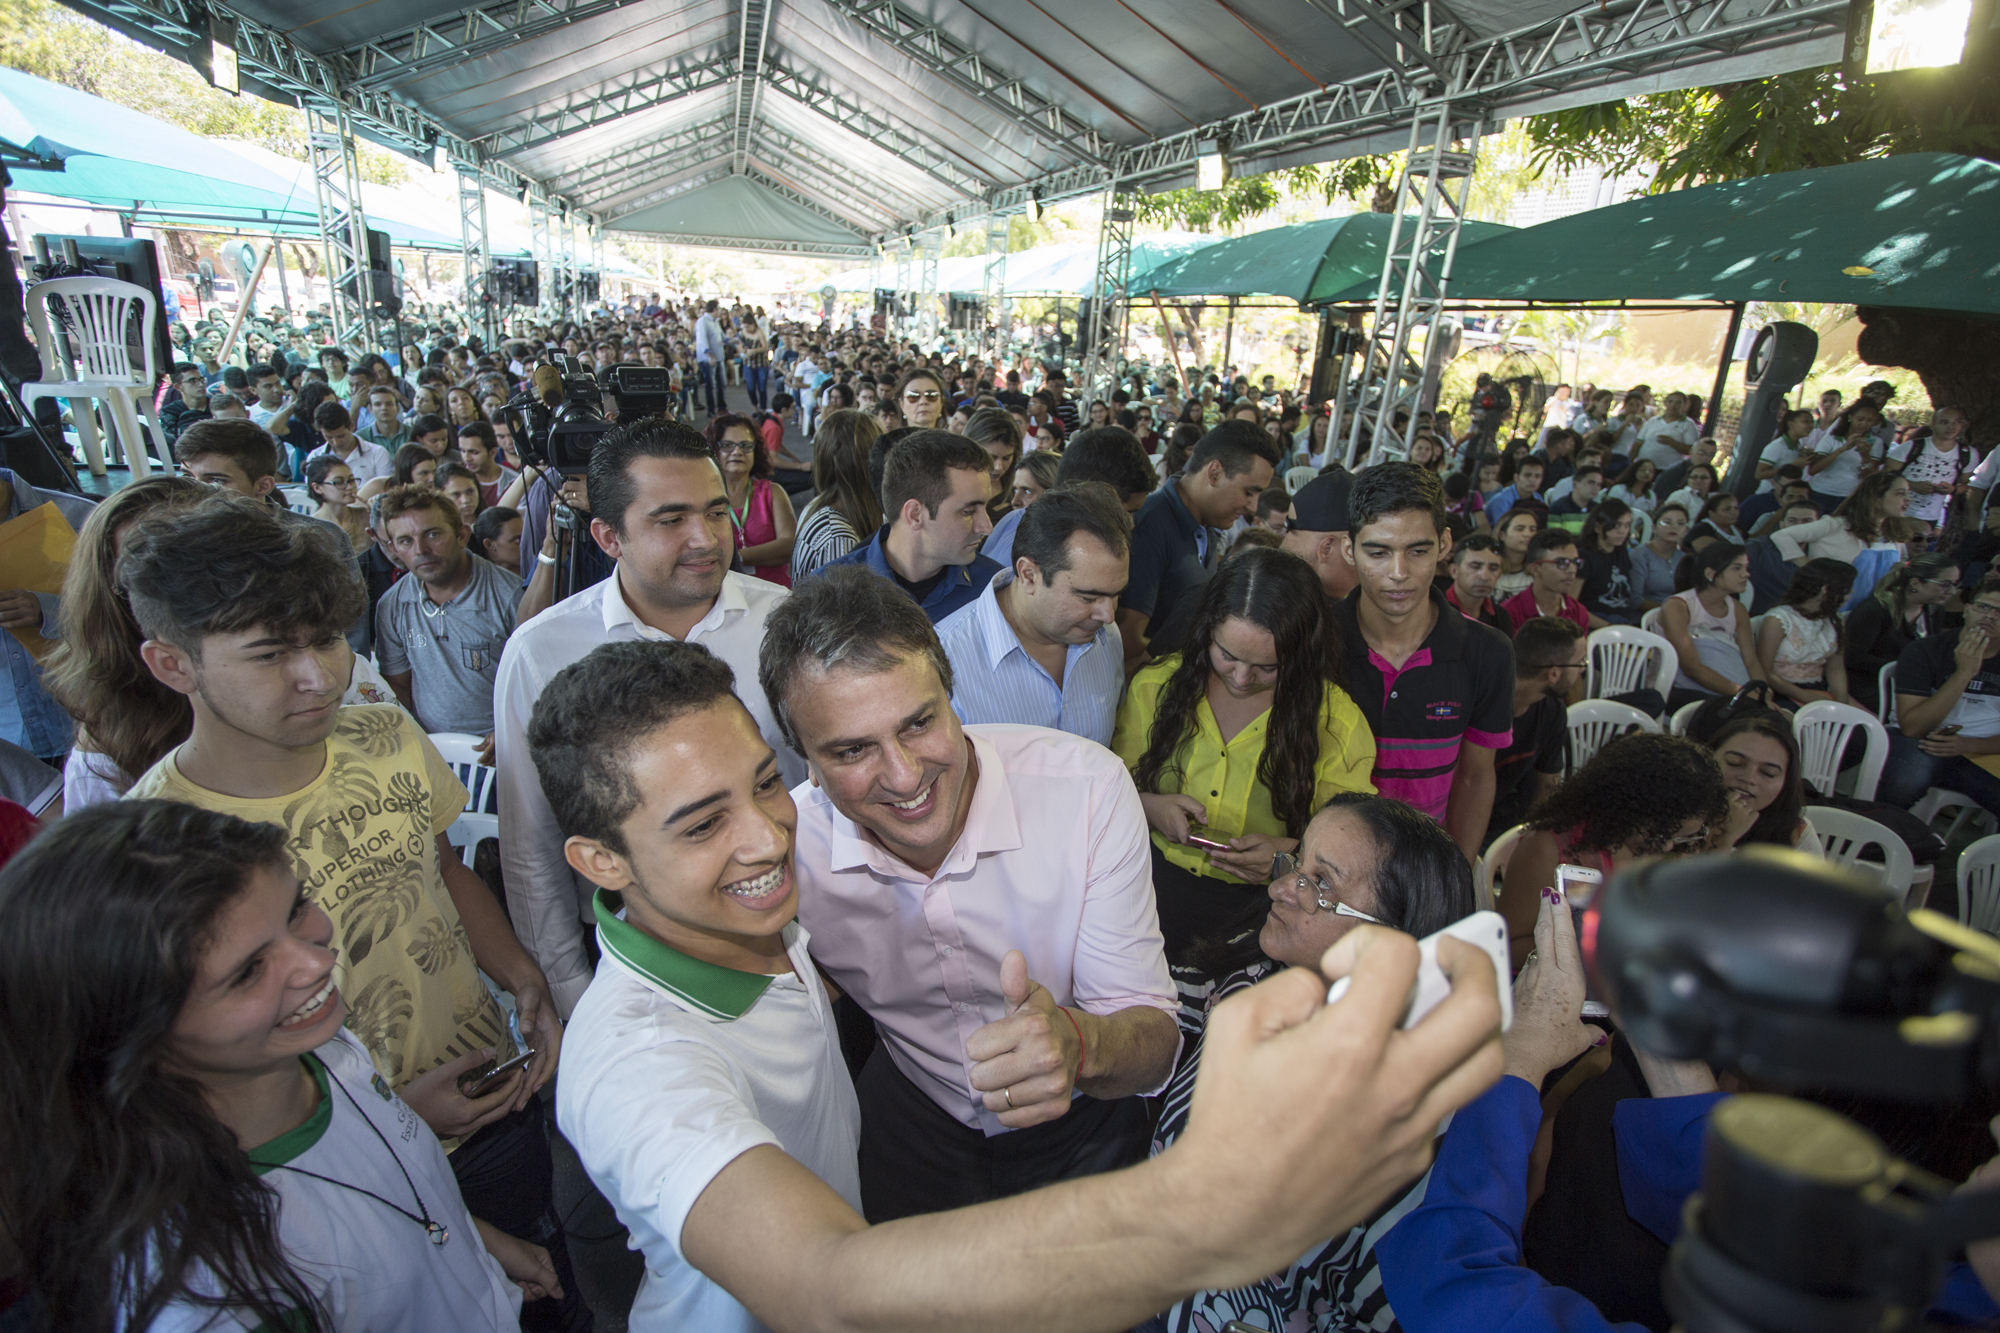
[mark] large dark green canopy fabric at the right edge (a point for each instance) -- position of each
(1911, 231)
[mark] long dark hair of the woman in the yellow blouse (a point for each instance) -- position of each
(1283, 595)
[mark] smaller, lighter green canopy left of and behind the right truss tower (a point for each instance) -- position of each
(1305, 263)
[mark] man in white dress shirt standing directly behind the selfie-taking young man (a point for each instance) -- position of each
(665, 519)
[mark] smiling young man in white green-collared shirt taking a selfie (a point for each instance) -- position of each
(705, 1092)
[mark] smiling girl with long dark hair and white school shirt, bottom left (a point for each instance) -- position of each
(199, 1146)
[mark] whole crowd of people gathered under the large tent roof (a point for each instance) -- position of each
(929, 808)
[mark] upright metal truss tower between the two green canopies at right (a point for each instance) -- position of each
(1417, 271)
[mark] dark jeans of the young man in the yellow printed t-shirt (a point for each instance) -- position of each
(509, 1182)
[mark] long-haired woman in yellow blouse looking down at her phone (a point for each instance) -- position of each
(1239, 738)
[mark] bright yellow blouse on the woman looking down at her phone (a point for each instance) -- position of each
(1223, 778)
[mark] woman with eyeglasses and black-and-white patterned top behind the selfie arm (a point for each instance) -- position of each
(1363, 858)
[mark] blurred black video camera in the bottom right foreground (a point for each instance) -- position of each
(1795, 974)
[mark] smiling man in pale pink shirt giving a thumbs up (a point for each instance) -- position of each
(985, 896)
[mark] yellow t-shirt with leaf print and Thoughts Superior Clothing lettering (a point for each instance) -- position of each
(365, 848)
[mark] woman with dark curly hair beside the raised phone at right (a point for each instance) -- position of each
(1641, 796)
